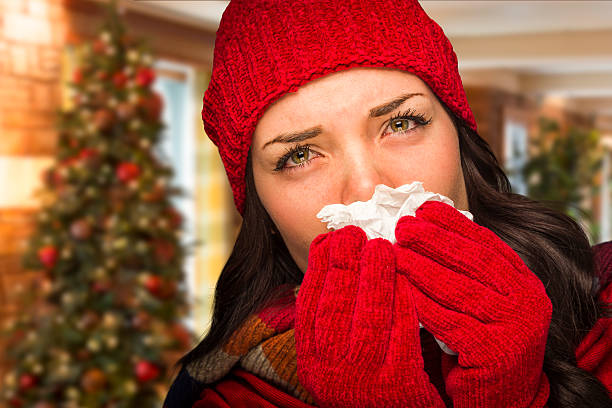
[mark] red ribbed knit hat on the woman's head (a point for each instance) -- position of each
(266, 48)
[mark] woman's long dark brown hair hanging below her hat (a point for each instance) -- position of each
(550, 243)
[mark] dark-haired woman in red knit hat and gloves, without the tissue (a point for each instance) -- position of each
(315, 102)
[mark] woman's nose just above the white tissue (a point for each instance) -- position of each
(361, 173)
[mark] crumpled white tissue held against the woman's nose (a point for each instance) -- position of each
(379, 215)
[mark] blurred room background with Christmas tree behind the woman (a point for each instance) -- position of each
(538, 77)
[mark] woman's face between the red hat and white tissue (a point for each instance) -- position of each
(339, 136)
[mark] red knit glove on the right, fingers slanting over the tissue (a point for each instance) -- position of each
(474, 293)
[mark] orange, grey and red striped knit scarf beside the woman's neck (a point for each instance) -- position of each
(263, 345)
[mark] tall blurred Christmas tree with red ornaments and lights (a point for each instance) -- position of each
(105, 327)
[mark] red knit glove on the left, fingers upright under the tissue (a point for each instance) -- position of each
(356, 331)
